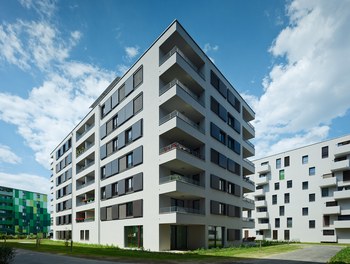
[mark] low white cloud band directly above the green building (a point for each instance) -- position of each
(26, 182)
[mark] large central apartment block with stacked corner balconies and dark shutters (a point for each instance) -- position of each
(160, 160)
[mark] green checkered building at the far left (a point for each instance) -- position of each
(23, 212)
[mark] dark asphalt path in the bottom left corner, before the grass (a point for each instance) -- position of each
(31, 257)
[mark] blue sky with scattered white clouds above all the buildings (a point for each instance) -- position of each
(289, 59)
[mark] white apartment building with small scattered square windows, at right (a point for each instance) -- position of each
(304, 194)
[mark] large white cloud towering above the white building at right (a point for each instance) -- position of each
(305, 93)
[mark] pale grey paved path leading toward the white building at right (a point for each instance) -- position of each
(307, 255)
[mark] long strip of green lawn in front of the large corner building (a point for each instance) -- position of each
(114, 253)
